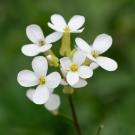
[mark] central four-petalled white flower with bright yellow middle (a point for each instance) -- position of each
(75, 69)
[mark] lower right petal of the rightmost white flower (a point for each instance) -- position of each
(107, 63)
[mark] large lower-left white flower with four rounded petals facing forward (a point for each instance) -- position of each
(27, 78)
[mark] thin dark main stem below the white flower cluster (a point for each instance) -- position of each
(76, 123)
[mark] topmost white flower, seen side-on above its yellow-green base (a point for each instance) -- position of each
(59, 24)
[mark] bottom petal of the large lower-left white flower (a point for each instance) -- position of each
(41, 95)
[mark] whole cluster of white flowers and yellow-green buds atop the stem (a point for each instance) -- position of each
(73, 68)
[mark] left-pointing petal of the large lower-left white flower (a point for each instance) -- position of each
(27, 78)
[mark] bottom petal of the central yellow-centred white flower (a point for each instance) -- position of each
(72, 77)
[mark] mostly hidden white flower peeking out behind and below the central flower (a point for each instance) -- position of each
(81, 83)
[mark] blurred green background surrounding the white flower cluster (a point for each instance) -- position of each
(109, 98)
